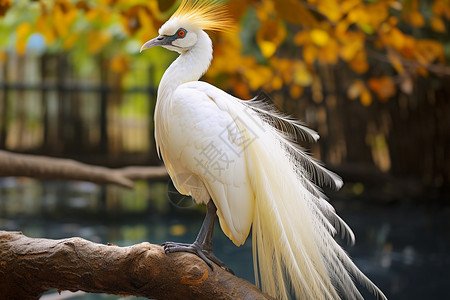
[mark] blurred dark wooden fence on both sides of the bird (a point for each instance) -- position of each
(45, 109)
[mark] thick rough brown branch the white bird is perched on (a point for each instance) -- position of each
(29, 267)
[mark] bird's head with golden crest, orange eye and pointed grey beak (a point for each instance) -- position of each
(181, 32)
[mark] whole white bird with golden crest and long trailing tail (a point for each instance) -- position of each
(240, 159)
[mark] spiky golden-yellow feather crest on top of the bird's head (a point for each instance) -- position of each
(205, 14)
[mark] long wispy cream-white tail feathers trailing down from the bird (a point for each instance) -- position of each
(295, 254)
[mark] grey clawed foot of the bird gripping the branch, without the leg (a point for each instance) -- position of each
(206, 255)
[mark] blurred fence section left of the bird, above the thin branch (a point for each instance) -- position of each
(45, 109)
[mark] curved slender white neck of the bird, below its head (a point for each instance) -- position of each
(189, 66)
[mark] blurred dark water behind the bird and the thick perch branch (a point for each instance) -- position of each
(403, 248)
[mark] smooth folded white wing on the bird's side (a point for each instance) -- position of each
(203, 143)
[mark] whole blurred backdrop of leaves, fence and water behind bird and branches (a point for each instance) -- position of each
(372, 77)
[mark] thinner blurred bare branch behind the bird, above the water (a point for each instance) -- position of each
(12, 164)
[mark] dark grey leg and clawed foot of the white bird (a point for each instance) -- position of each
(202, 245)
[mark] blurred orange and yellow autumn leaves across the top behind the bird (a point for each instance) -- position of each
(277, 44)
